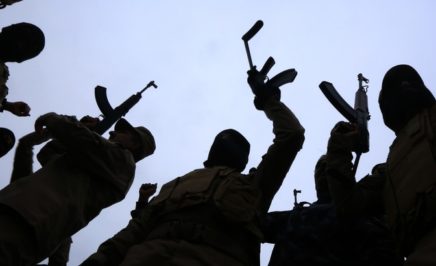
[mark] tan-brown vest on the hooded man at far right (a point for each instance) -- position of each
(410, 191)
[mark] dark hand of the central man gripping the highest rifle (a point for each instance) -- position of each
(263, 91)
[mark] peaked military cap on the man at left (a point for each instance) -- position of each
(146, 139)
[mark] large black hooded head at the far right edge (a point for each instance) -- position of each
(402, 96)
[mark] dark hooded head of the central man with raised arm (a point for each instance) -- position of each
(230, 148)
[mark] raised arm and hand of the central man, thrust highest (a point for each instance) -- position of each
(288, 140)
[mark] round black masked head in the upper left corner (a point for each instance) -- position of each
(20, 42)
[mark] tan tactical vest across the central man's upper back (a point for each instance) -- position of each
(235, 195)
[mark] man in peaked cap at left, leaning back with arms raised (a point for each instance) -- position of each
(39, 211)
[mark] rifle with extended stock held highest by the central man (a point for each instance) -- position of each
(286, 76)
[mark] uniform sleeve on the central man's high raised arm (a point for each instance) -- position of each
(275, 164)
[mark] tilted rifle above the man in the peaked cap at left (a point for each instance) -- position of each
(111, 115)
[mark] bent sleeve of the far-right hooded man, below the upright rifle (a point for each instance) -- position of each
(351, 197)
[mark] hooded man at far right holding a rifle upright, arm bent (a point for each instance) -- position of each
(407, 193)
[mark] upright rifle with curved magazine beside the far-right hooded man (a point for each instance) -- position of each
(359, 115)
